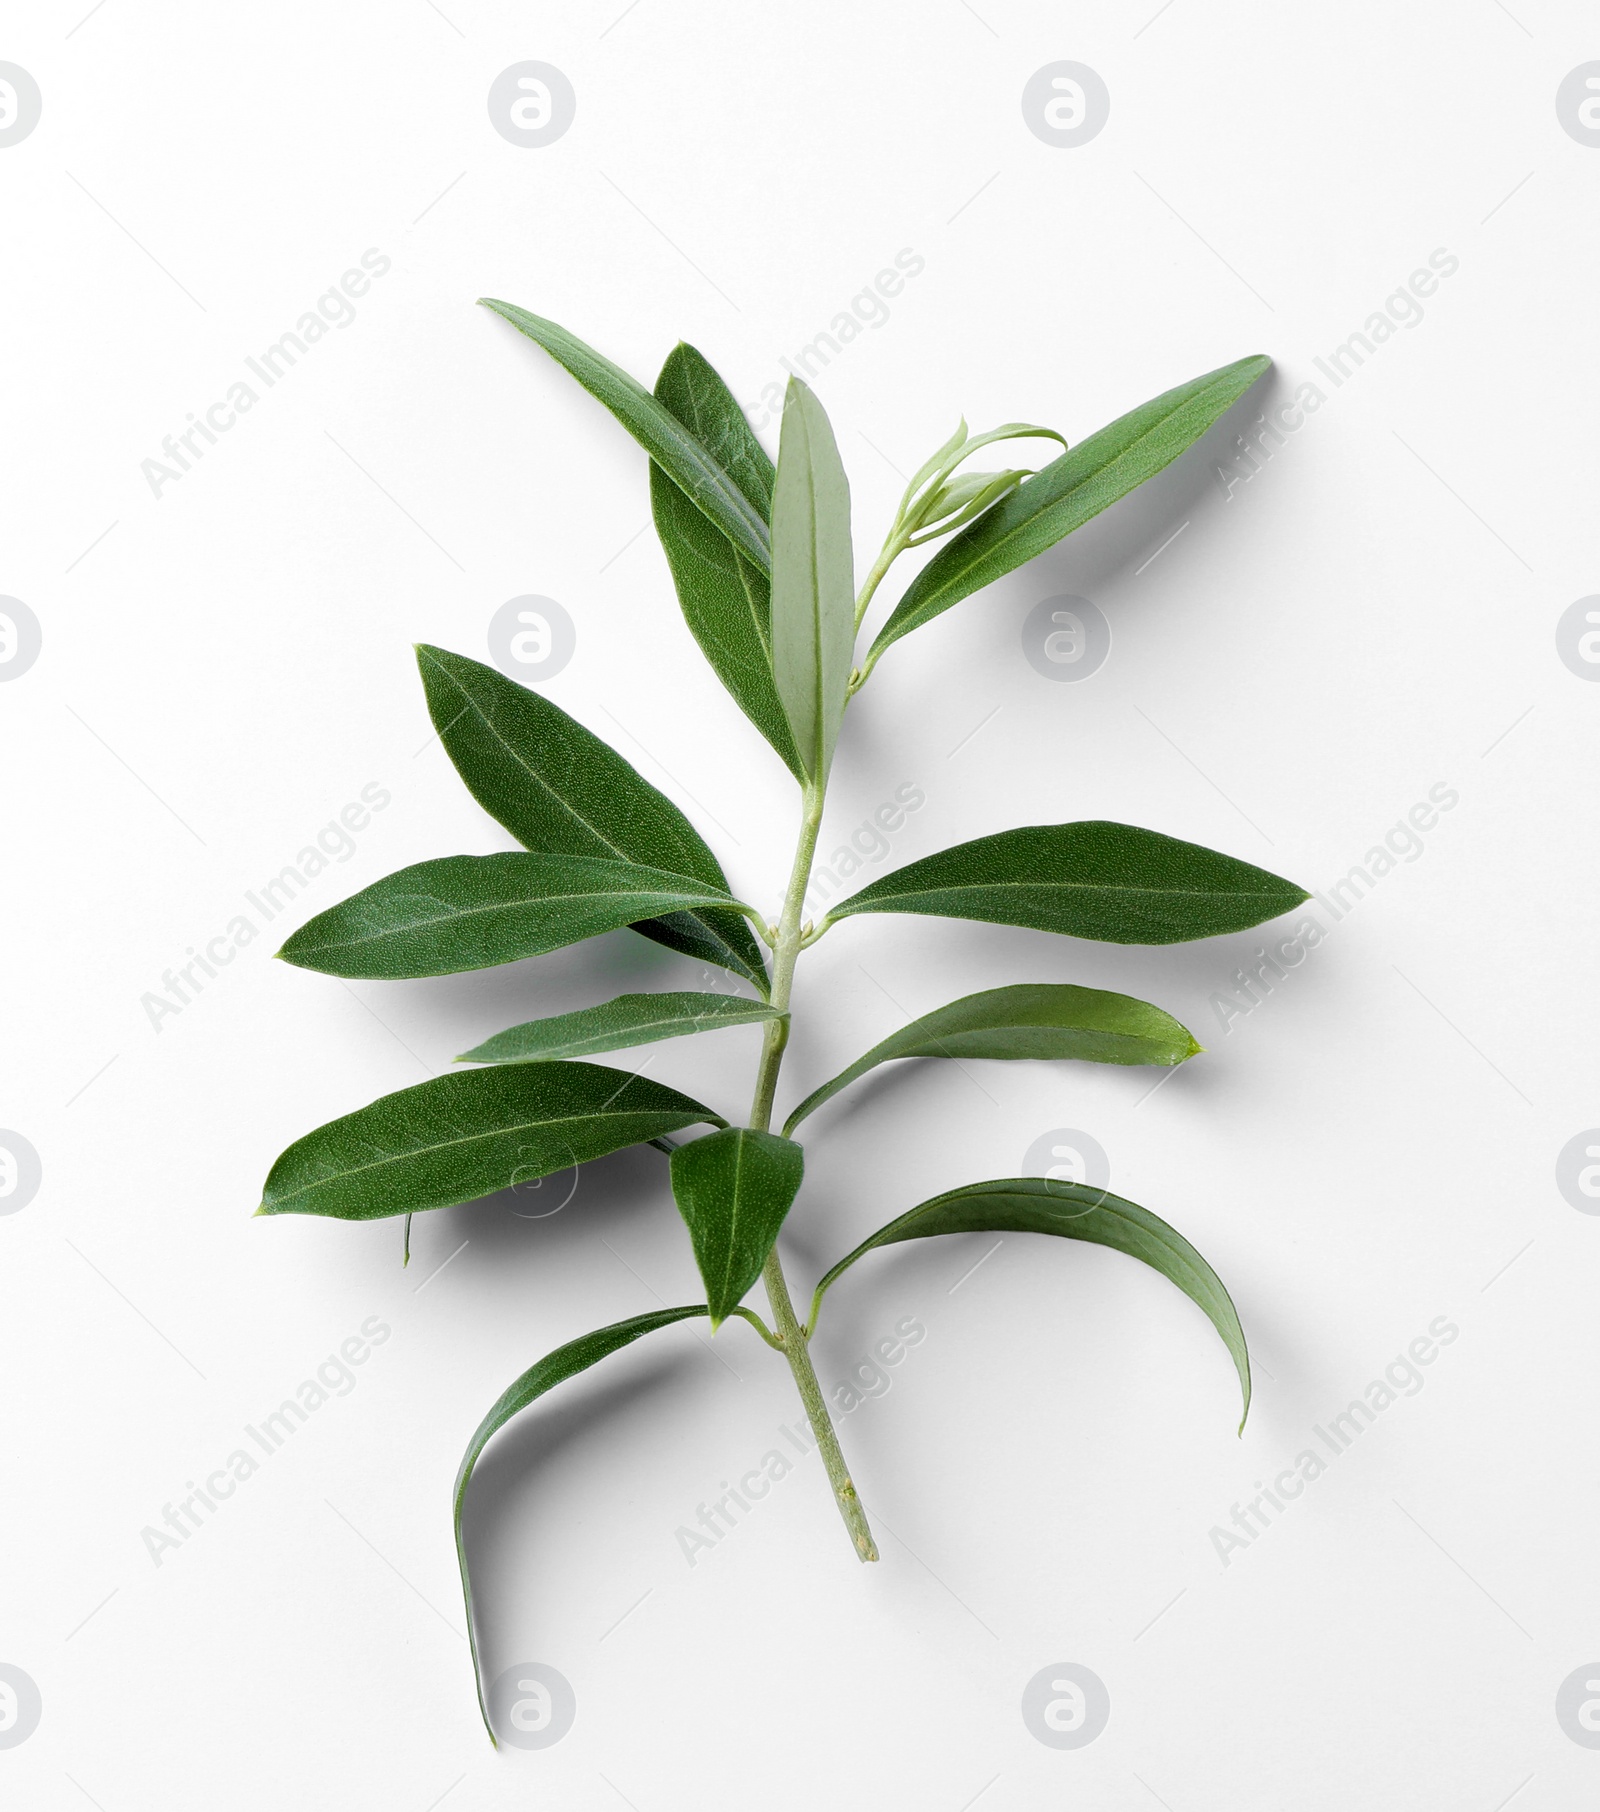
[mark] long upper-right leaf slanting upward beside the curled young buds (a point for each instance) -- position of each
(1066, 494)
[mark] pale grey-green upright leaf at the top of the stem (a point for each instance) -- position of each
(813, 581)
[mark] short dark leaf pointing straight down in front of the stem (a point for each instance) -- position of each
(733, 1191)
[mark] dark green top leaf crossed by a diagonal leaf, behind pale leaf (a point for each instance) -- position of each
(726, 597)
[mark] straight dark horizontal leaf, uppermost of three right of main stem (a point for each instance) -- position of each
(1097, 880)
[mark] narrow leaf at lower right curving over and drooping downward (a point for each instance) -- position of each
(1072, 1211)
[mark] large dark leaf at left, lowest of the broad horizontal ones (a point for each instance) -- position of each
(470, 1133)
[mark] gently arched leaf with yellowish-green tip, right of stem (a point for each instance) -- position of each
(1043, 1021)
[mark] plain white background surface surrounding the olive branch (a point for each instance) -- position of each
(1369, 1150)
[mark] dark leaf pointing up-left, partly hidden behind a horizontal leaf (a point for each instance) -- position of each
(559, 789)
